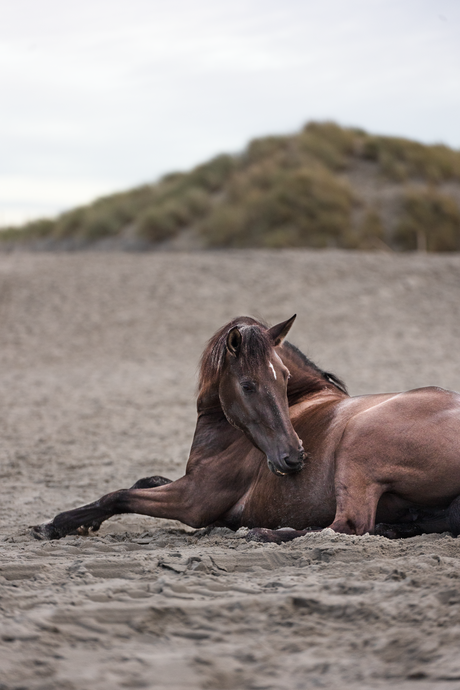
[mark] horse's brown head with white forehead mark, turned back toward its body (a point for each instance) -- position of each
(253, 394)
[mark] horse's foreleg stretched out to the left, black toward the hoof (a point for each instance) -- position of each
(174, 500)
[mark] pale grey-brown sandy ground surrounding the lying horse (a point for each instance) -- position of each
(98, 357)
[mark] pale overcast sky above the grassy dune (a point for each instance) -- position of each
(98, 96)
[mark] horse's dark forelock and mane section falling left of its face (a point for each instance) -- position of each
(255, 348)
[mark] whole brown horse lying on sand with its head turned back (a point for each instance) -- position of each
(279, 443)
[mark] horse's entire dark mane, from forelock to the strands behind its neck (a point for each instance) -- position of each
(256, 347)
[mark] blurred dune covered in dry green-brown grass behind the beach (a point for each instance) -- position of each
(326, 186)
